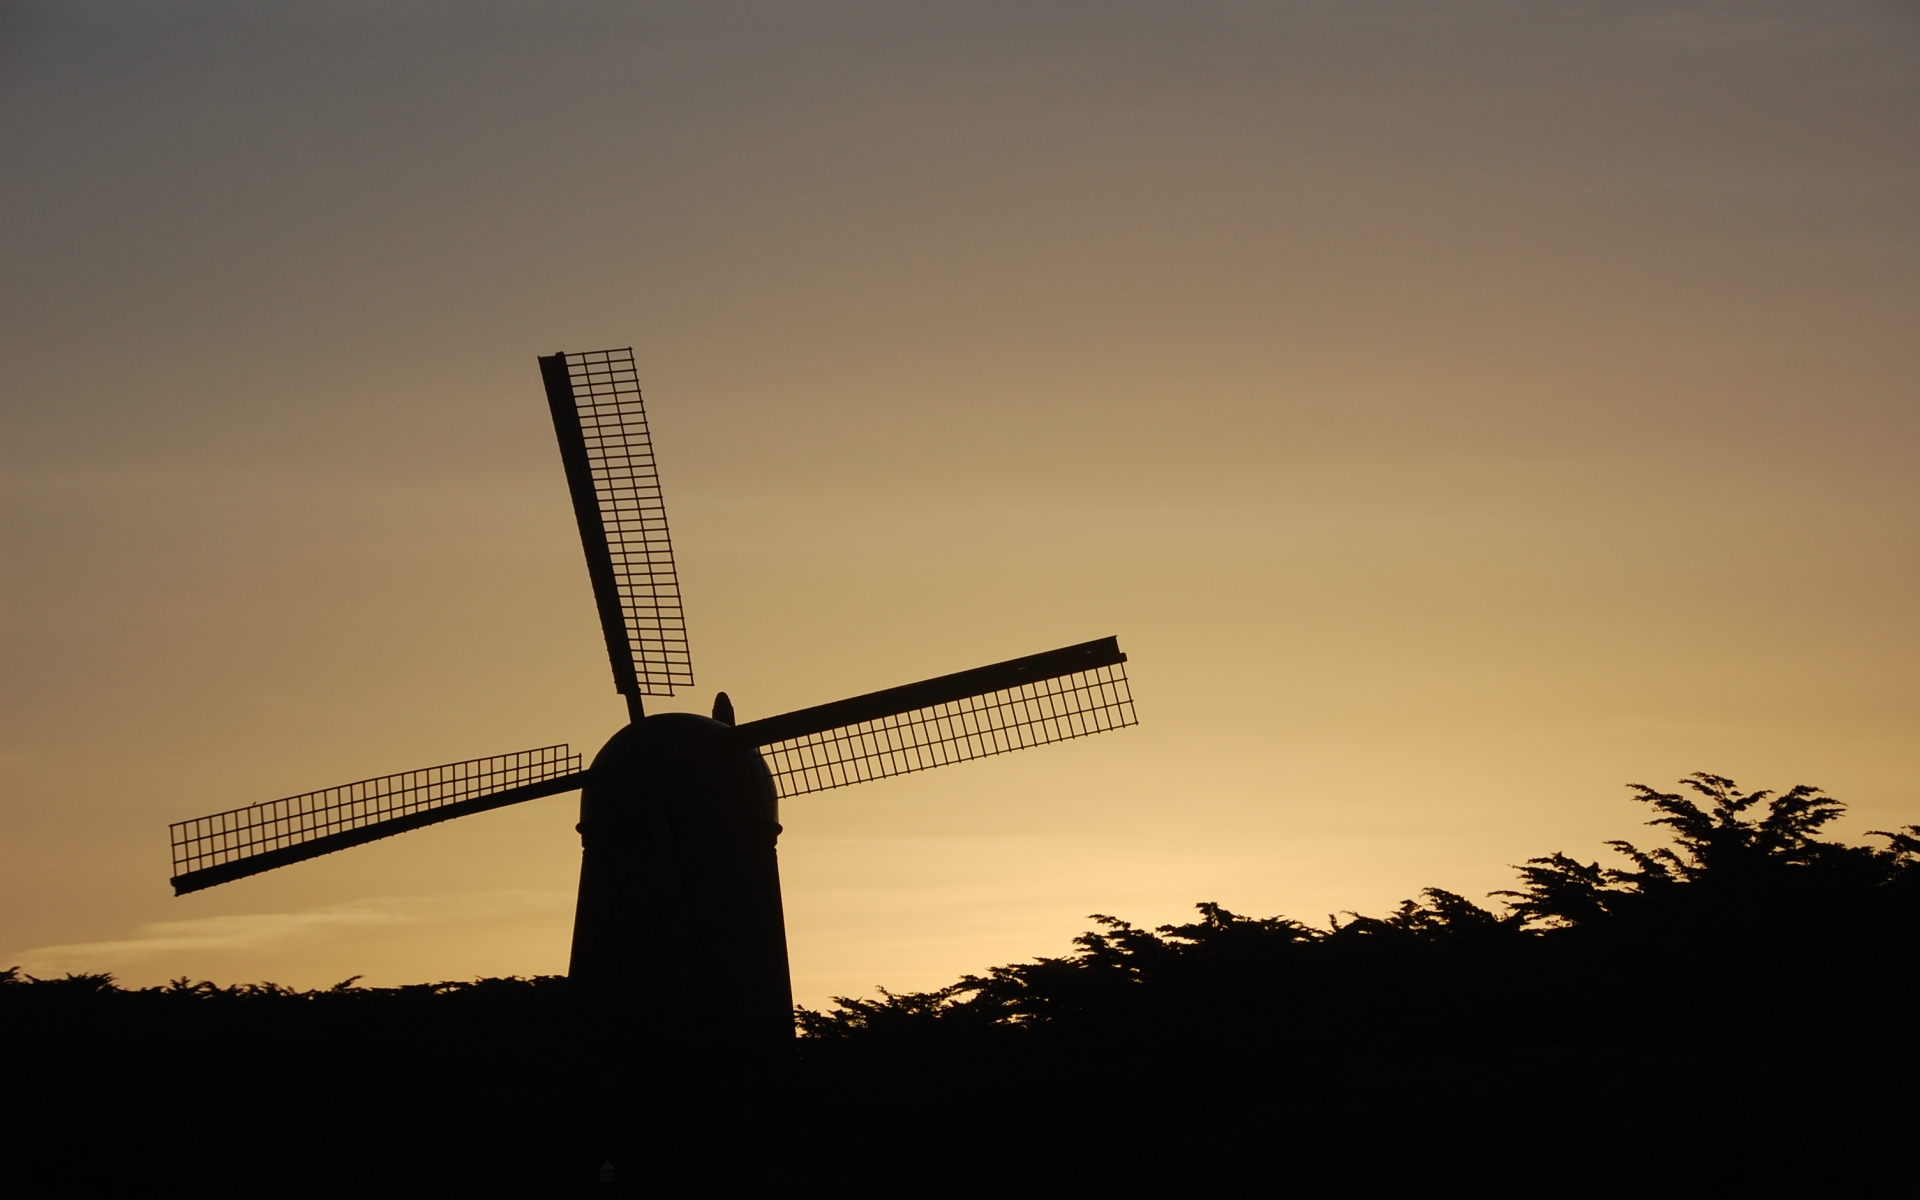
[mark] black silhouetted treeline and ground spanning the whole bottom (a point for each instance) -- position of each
(1733, 1005)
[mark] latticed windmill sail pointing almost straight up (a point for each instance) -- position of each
(602, 425)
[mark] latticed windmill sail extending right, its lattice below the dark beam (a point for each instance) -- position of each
(976, 713)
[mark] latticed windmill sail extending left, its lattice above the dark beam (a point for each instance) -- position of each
(247, 842)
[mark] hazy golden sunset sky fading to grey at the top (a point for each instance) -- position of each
(1458, 410)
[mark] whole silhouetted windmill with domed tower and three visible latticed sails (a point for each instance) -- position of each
(679, 915)
